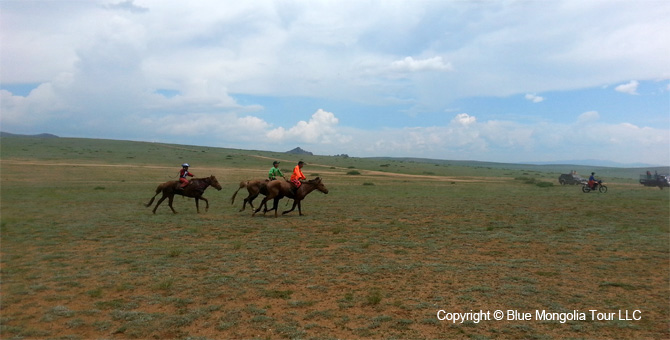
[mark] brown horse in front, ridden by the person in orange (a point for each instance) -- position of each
(279, 189)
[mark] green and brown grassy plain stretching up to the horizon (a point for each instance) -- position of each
(392, 243)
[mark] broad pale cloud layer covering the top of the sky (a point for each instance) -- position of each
(271, 47)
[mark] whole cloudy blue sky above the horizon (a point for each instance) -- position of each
(499, 81)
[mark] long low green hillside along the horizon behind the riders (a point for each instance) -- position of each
(134, 152)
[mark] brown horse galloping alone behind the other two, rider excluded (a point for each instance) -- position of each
(195, 188)
